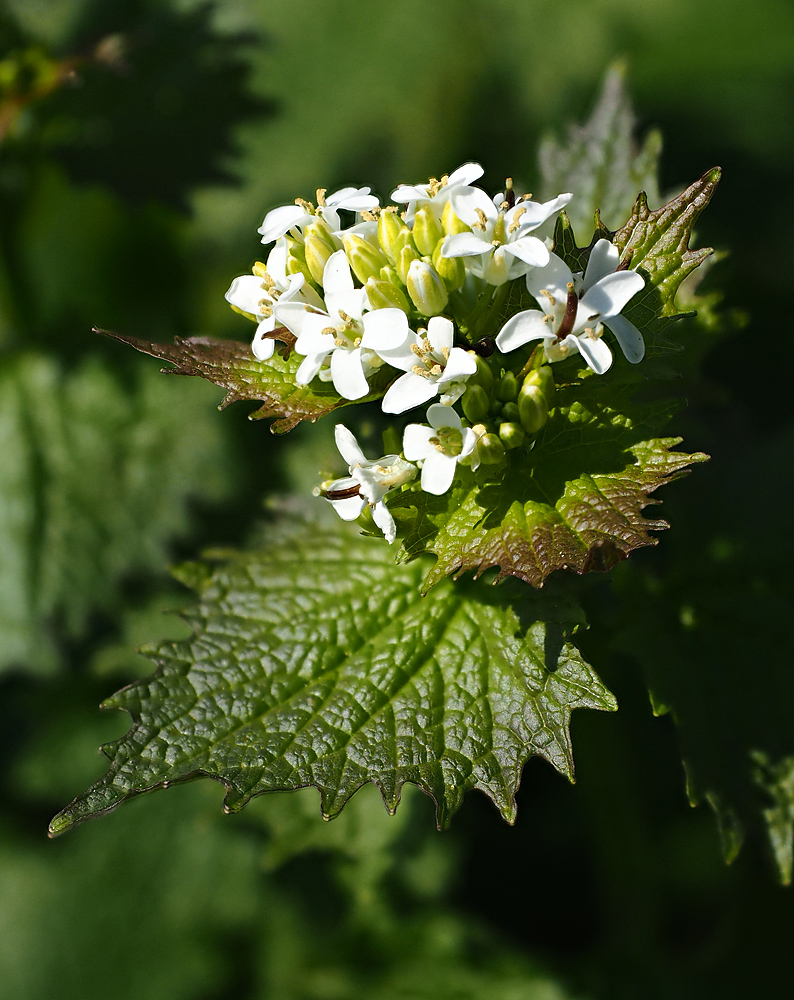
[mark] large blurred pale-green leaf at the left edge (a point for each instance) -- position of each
(95, 479)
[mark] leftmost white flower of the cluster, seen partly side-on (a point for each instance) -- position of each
(257, 295)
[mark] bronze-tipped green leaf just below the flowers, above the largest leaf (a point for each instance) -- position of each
(586, 523)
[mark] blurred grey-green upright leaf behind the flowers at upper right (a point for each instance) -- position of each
(600, 162)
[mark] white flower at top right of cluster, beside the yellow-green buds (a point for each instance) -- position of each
(499, 247)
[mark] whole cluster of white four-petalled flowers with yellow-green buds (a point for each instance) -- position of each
(417, 290)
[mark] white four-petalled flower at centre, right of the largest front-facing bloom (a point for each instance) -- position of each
(431, 365)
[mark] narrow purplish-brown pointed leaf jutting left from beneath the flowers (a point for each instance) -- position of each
(231, 365)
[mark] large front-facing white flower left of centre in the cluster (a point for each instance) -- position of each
(341, 332)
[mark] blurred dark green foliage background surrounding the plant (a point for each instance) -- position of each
(141, 144)
